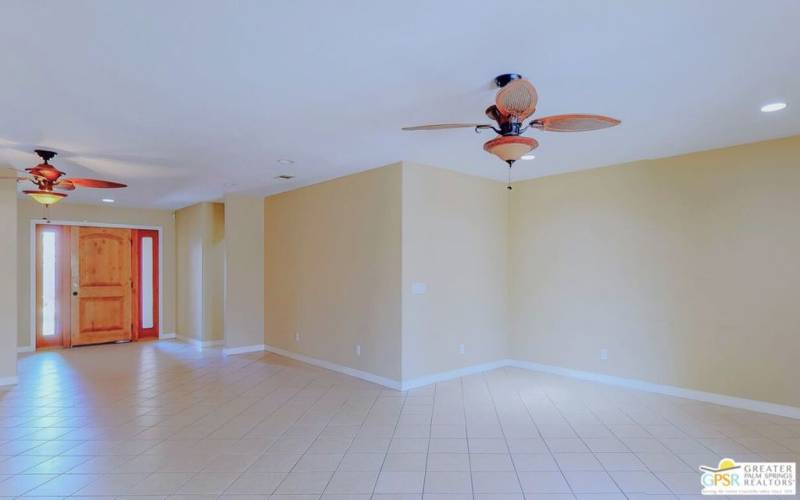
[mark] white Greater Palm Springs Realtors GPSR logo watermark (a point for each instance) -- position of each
(749, 478)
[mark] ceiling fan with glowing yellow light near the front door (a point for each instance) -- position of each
(47, 178)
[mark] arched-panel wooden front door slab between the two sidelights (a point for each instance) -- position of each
(100, 285)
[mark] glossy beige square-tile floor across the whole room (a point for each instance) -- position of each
(163, 419)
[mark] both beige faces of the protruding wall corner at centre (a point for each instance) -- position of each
(342, 258)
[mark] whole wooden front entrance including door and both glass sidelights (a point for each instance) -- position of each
(95, 284)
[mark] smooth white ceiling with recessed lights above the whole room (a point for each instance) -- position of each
(187, 100)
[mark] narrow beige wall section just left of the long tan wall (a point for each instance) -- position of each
(244, 271)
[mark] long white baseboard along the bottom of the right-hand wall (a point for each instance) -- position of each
(670, 390)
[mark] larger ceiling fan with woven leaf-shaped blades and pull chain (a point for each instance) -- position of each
(515, 102)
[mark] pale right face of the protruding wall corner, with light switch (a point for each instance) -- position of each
(455, 230)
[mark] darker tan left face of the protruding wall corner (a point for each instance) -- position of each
(332, 271)
